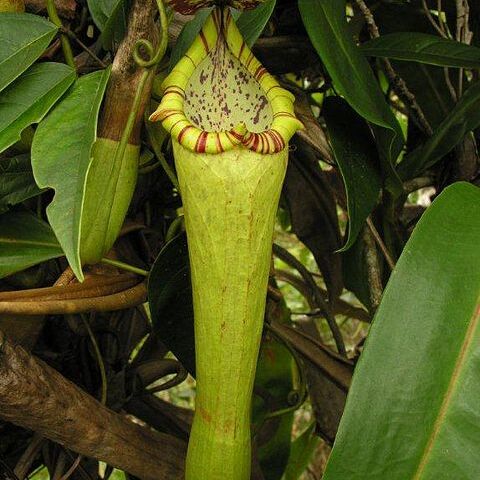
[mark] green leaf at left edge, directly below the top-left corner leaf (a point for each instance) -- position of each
(30, 97)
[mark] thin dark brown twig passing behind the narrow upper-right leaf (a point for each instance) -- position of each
(398, 84)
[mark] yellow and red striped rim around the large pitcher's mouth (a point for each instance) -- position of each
(218, 28)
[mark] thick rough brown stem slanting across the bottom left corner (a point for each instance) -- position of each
(35, 396)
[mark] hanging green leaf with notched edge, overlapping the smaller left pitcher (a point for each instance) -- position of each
(61, 158)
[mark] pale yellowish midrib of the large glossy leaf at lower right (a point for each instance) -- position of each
(442, 413)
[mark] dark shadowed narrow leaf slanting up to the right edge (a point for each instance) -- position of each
(464, 117)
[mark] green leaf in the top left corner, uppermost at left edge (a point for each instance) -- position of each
(23, 38)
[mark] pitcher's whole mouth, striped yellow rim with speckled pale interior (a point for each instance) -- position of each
(206, 112)
